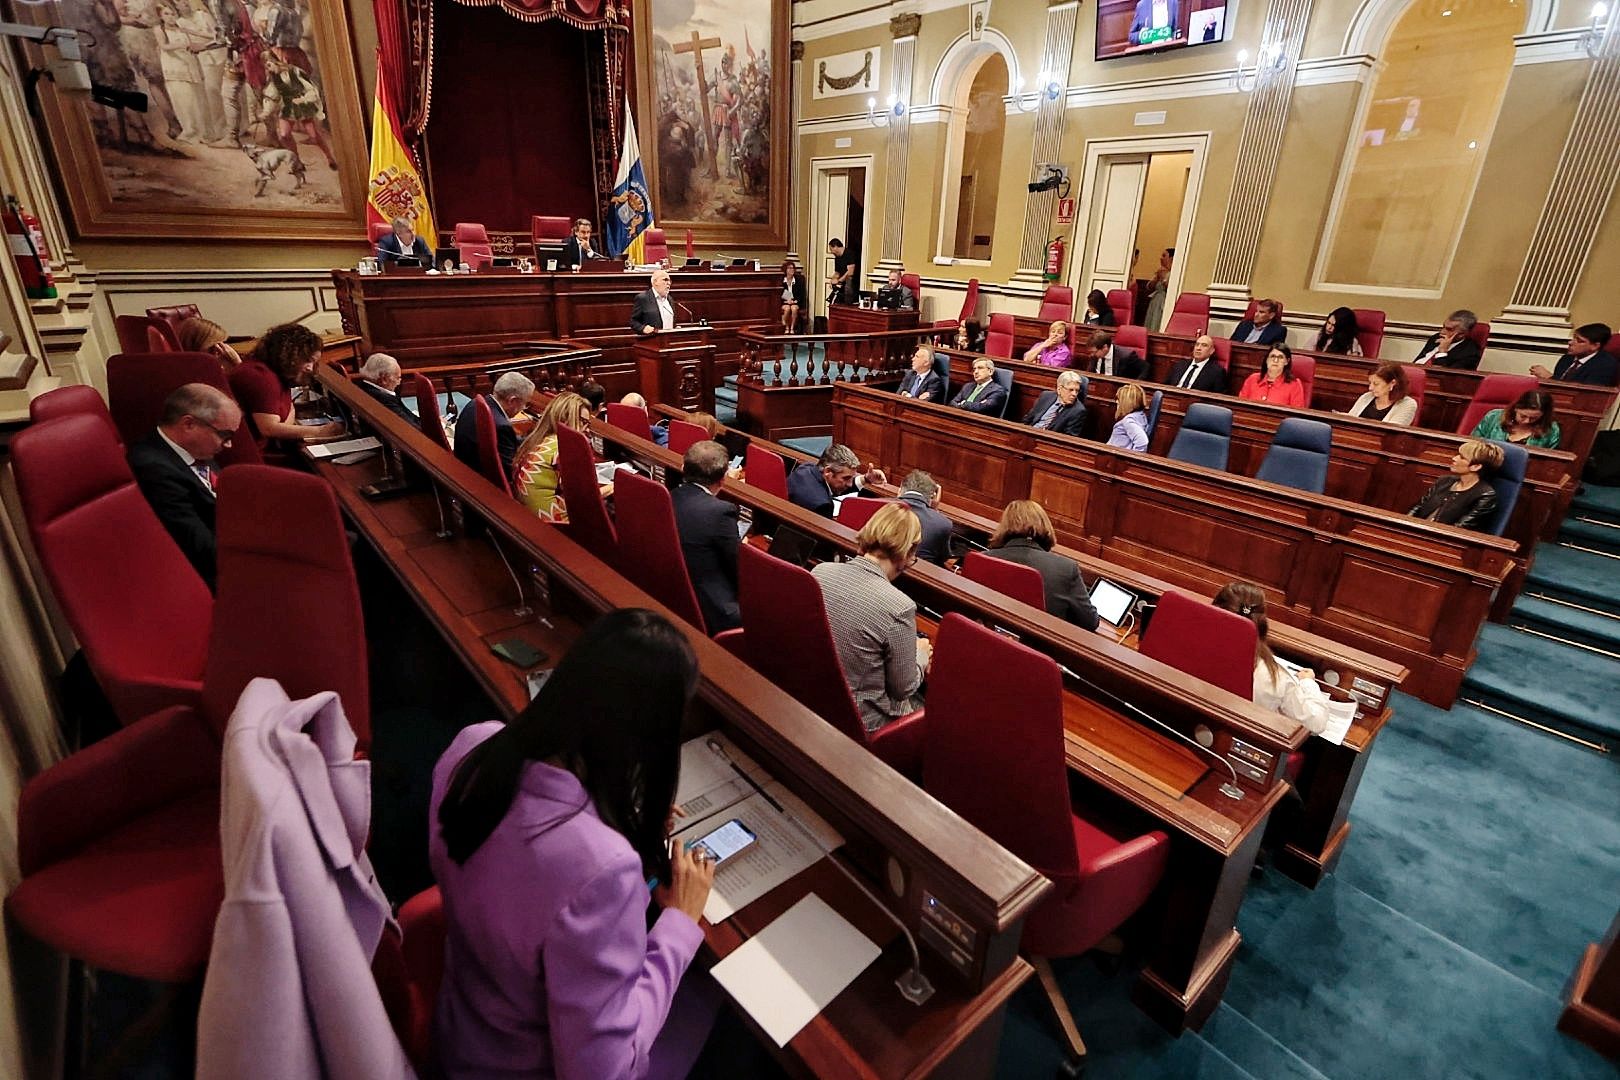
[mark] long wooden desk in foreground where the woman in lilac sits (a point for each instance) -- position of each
(913, 851)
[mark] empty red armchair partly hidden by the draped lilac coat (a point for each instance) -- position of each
(119, 843)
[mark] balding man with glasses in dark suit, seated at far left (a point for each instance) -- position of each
(174, 467)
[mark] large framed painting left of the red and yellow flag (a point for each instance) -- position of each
(252, 129)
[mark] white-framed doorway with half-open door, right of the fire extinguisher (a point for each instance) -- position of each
(1140, 200)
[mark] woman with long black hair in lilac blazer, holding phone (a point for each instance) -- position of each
(547, 833)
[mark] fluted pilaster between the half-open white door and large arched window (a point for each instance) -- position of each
(1258, 151)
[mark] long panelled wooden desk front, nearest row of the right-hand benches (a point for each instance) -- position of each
(1407, 590)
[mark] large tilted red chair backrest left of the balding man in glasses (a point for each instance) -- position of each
(114, 569)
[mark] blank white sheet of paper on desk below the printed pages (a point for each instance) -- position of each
(793, 969)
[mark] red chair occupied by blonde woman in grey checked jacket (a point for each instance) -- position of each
(788, 640)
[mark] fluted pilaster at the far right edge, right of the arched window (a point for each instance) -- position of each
(1582, 190)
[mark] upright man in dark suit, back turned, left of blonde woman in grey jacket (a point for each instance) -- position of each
(709, 534)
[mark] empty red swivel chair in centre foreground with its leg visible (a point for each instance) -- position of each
(1005, 772)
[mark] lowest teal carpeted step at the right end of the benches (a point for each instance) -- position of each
(1546, 682)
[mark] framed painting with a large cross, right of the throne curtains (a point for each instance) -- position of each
(714, 87)
